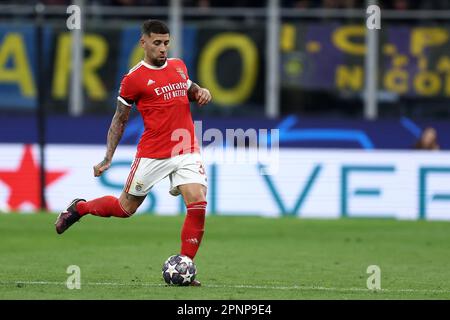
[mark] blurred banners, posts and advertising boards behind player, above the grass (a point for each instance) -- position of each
(329, 139)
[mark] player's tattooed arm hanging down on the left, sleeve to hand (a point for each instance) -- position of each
(115, 133)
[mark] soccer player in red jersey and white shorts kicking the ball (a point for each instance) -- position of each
(161, 90)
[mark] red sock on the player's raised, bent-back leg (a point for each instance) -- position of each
(106, 206)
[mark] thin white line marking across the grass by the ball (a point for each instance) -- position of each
(300, 288)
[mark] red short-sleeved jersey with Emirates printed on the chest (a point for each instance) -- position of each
(160, 95)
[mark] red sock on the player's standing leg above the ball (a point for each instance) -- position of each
(193, 228)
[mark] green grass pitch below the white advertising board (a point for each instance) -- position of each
(240, 258)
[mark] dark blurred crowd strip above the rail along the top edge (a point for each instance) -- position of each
(384, 4)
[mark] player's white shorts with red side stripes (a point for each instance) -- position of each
(181, 169)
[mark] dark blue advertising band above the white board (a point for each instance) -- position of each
(294, 132)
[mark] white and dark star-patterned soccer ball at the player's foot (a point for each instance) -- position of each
(179, 270)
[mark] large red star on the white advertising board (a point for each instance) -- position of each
(24, 182)
